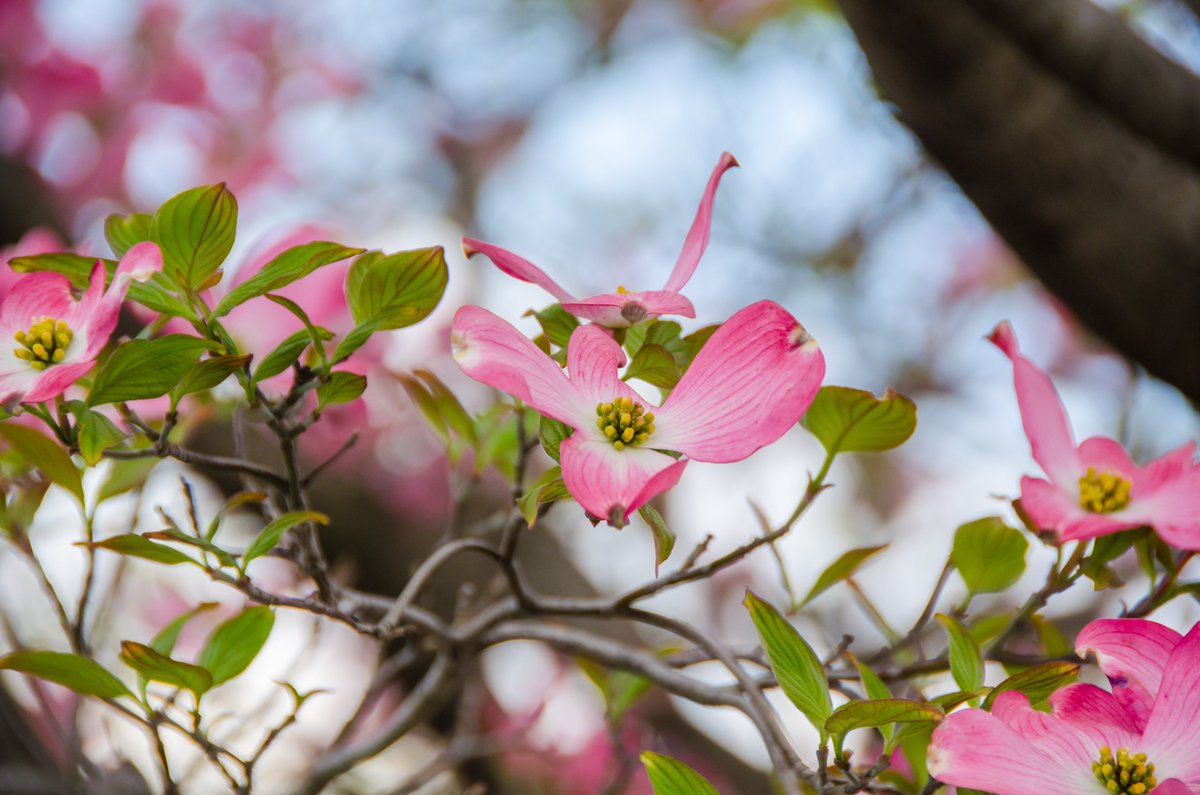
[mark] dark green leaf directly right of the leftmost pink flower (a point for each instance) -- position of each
(142, 369)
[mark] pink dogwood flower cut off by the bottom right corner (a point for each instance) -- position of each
(1141, 738)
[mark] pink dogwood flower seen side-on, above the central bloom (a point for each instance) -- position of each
(623, 309)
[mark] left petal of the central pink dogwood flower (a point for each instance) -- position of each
(494, 352)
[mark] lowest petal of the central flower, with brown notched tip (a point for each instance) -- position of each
(610, 483)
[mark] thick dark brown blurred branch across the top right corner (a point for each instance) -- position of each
(1035, 111)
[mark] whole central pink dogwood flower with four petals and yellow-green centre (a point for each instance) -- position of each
(752, 381)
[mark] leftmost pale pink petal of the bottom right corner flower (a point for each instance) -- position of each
(976, 750)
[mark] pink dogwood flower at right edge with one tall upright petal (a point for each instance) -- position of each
(1096, 489)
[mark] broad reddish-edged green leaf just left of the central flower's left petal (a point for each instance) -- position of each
(397, 290)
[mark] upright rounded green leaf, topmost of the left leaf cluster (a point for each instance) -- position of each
(196, 231)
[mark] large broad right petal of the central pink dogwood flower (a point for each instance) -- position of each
(749, 385)
